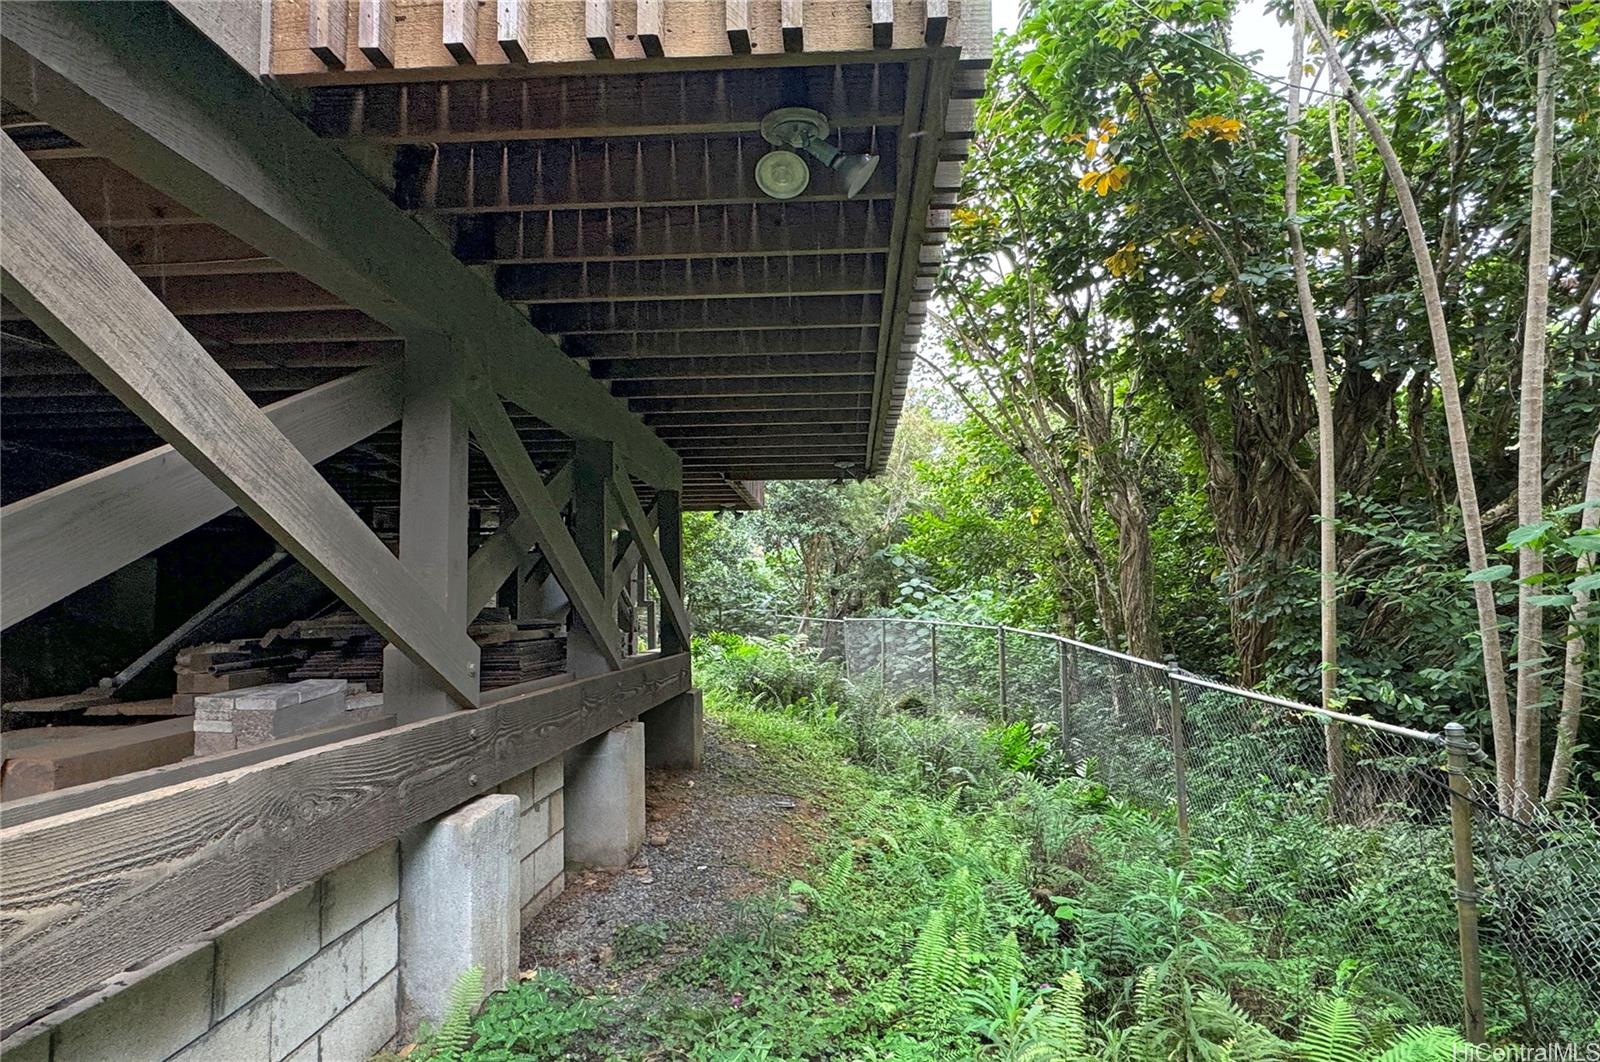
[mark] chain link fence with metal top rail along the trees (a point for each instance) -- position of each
(1337, 836)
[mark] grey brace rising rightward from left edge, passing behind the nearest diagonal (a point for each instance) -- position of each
(66, 538)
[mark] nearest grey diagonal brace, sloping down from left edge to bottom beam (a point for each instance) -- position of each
(81, 293)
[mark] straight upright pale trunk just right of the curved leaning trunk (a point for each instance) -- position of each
(1530, 434)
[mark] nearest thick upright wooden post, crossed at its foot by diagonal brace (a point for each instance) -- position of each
(433, 517)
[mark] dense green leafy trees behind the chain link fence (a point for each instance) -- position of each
(1114, 436)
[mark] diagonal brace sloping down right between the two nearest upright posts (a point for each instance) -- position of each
(498, 441)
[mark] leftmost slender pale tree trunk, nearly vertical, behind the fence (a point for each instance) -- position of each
(1329, 548)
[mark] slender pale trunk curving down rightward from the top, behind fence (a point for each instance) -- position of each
(1455, 420)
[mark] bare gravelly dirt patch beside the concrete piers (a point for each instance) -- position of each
(713, 839)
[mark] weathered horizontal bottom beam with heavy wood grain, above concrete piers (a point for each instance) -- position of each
(111, 887)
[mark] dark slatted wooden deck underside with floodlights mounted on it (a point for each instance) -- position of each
(614, 202)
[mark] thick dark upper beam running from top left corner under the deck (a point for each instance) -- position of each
(223, 145)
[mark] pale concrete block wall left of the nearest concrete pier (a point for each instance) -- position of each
(310, 980)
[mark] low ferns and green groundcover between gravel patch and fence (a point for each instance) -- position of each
(975, 900)
